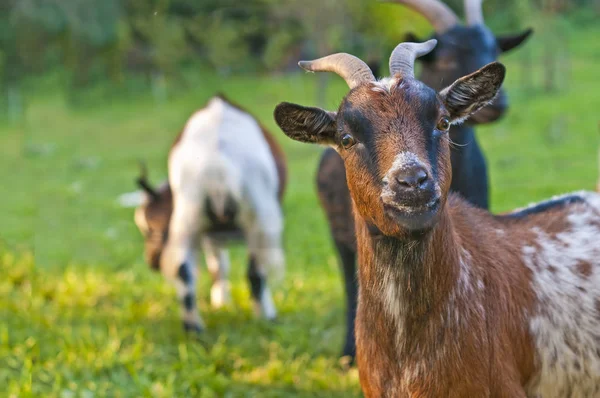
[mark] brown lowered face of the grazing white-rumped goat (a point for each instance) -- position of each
(152, 219)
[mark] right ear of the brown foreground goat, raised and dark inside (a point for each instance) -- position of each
(472, 92)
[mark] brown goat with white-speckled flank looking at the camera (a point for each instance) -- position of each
(454, 301)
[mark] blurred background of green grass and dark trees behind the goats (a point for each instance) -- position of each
(89, 87)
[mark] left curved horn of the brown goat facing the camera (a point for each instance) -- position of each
(352, 69)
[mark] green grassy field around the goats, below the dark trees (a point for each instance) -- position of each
(82, 315)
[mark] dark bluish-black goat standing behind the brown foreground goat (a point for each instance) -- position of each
(461, 50)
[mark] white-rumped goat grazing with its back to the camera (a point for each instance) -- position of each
(227, 177)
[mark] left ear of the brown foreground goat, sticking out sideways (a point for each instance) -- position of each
(305, 124)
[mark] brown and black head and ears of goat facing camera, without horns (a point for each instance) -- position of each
(393, 138)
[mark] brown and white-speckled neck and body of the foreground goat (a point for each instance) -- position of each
(483, 304)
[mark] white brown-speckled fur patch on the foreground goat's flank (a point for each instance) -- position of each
(566, 323)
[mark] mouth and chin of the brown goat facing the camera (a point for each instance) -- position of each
(414, 218)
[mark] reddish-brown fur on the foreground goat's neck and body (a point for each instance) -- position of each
(502, 360)
